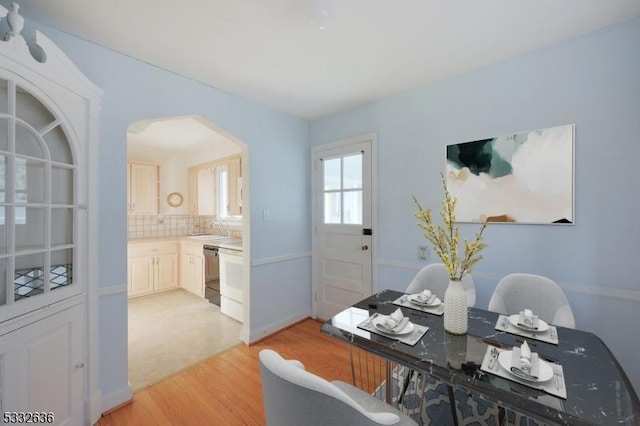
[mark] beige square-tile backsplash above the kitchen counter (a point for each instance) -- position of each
(155, 226)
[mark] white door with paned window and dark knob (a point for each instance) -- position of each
(343, 224)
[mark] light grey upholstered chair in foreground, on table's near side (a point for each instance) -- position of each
(293, 396)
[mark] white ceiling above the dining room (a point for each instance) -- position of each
(273, 51)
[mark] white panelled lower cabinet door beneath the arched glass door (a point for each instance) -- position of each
(42, 369)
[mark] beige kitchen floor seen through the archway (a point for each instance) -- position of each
(171, 331)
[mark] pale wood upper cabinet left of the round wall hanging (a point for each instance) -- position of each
(143, 188)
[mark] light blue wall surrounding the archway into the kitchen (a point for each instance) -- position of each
(279, 181)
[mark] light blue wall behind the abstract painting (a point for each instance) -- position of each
(592, 81)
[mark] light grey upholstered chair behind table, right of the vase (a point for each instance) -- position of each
(518, 291)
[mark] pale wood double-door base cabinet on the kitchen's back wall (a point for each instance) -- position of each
(152, 267)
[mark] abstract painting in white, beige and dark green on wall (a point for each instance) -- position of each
(524, 177)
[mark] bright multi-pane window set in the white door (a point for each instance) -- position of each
(343, 189)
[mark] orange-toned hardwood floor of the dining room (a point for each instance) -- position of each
(226, 389)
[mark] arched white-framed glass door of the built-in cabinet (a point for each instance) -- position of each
(37, 207)
